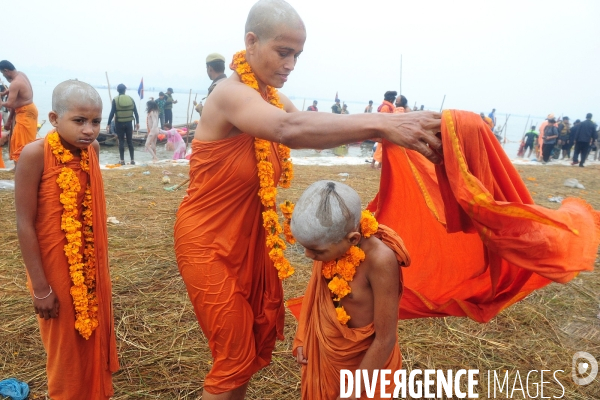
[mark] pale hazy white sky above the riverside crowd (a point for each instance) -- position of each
(520, 57)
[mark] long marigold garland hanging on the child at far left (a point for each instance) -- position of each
(82, 268)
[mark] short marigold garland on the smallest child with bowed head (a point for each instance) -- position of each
(340, 272)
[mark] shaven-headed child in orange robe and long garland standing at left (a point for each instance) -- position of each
(61, 225)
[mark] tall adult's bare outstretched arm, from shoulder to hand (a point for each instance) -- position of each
(246, 110)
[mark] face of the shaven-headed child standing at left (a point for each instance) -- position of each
(79, 126)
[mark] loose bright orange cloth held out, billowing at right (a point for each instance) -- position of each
(477, 242)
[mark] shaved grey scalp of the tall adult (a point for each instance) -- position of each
(267, 15)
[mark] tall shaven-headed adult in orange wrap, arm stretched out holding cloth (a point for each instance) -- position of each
(220, 242)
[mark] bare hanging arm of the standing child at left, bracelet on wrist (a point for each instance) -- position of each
(27, 180)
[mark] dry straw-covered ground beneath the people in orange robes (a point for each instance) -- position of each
(163, 353)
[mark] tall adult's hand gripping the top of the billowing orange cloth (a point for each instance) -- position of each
(417, 131)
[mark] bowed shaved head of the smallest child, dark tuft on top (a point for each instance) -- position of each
(325, 213)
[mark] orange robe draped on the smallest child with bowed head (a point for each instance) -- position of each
(330, 346)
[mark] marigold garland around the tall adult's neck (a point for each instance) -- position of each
(268, 190)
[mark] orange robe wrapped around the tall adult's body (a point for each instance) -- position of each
(223, 260)
